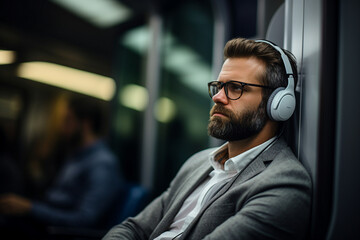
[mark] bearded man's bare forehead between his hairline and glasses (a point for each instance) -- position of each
(245, 69)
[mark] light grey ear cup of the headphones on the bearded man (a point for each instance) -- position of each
(281, 104)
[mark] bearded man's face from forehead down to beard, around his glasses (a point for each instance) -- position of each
(239, 119)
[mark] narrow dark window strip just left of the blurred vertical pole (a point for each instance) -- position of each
(131, 99)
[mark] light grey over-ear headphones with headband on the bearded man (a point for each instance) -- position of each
(281, 103)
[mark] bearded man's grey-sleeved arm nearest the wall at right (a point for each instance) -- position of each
(273, 214)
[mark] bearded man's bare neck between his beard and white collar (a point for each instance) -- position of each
(237, 147)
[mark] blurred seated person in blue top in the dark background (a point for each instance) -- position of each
(88, 182)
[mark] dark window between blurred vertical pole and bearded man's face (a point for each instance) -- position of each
(185, 70)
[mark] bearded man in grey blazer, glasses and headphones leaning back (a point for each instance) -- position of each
(252, 187)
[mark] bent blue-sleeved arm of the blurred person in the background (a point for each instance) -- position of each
(100, 190)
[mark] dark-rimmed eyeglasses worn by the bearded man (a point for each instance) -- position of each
(233, 89)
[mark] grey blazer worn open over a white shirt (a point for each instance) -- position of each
(268, 199)
